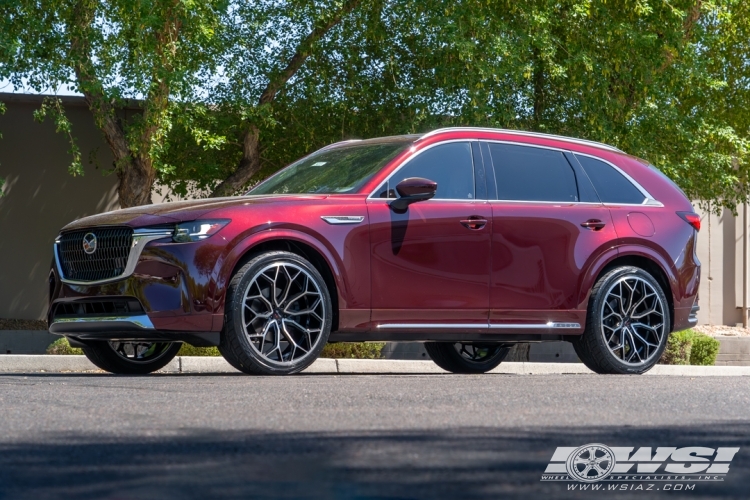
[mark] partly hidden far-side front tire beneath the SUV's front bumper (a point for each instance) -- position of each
(105, 355)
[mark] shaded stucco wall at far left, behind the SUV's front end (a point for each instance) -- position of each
(40, 197)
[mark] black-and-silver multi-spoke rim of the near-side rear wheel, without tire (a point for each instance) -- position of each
(633, 320)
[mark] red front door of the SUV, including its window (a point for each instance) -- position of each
(430, 265)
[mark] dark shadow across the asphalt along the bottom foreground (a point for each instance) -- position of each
(464, 463)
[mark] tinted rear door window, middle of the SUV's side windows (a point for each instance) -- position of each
(532, 174)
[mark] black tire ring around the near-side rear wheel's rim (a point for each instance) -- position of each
(597, 305)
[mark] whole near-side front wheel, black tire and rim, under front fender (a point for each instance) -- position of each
(250, 355)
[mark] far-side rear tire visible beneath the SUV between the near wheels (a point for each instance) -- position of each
(455, 357)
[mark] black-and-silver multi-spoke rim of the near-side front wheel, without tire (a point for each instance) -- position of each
(283, 312)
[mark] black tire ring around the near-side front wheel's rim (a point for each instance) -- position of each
(234, 317)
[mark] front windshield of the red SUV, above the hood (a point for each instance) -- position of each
(343, 169)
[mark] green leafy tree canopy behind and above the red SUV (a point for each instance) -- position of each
(232, 91)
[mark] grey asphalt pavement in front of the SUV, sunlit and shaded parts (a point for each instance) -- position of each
(349, 436)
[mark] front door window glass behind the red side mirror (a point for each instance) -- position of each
(449, 165)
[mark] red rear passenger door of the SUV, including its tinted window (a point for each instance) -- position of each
(548, 226)
